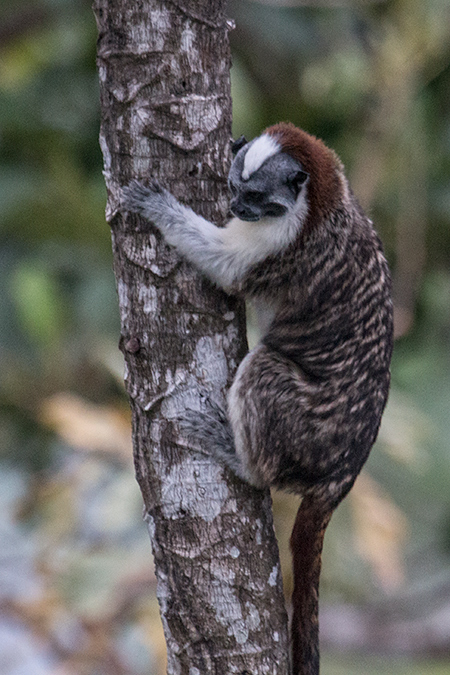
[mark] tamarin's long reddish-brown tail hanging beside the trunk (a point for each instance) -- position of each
(306, 546)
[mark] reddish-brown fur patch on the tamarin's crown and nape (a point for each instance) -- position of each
(324, 186)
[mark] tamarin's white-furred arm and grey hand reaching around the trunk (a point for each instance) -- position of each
(196, 239)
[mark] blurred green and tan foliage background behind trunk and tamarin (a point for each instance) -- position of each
(372, 78)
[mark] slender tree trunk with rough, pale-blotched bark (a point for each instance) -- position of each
(166, 113)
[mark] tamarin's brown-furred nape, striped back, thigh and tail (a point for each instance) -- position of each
(312, 393)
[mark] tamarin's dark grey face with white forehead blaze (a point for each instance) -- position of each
(264, 182)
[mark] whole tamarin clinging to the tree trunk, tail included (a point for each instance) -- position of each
(305, 405)
